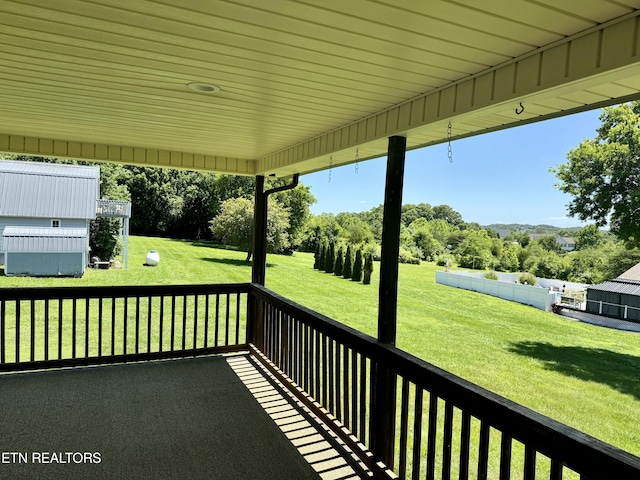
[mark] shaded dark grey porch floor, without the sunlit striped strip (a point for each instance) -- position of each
(183, 419)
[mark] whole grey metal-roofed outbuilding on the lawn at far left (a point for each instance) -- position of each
(45, 210)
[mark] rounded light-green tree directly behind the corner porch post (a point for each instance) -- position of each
(234, 225)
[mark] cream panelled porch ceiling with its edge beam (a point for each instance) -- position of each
(302, 83)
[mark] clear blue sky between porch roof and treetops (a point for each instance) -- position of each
(500, 177)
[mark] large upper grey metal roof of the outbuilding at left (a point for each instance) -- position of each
(47, 190)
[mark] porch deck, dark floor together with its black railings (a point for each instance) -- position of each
(288, 390)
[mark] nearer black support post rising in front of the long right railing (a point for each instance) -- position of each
(384, 383)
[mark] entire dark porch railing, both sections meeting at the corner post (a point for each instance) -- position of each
(445, 427)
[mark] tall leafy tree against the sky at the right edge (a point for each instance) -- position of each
(602, 174)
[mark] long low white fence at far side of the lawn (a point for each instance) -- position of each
(526, 294)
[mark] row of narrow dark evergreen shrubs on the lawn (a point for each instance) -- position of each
(344, 264)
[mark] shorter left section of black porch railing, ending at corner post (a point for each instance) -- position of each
(54, 327)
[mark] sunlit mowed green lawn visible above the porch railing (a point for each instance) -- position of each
(582, 375)
